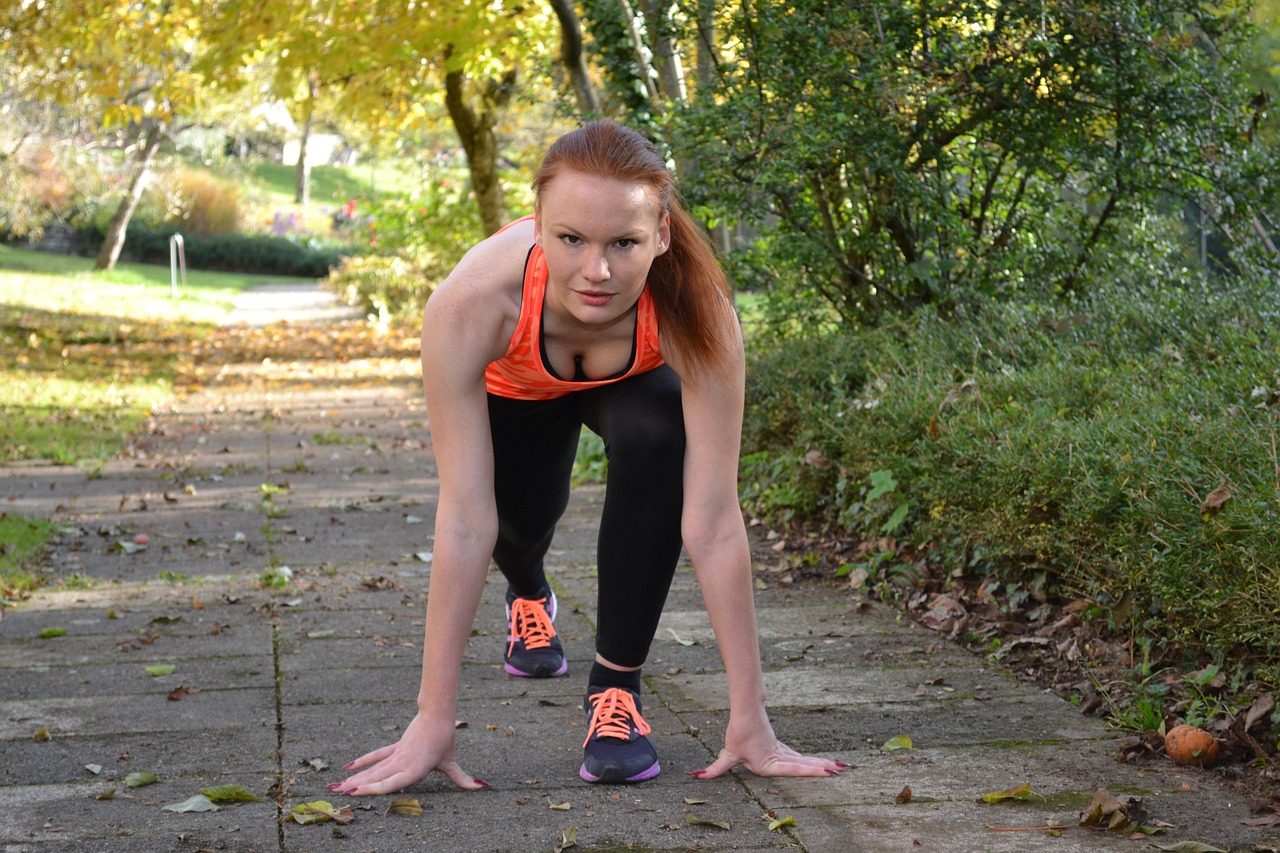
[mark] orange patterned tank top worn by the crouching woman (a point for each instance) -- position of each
(523, 373)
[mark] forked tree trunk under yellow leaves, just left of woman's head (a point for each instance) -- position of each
(476, 131)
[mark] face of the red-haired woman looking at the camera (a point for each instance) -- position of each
(601, 238)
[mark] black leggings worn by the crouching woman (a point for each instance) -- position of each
(534, 445)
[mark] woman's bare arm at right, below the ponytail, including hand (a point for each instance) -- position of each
(716, 540)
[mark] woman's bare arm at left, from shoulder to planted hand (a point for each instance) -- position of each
(463, 332)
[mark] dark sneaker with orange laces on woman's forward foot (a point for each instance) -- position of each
(616, 749)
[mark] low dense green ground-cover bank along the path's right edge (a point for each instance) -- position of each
(1078, 445)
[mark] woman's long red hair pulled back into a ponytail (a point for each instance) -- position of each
(687, 282)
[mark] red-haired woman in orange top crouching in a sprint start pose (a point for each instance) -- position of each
(607, 308)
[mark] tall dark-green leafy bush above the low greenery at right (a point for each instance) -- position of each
(911, 154)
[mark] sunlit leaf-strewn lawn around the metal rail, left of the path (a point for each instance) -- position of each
(86, 357)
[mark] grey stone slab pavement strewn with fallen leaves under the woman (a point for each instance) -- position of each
(287, 524)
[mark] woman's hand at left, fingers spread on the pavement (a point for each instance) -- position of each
(424, 747)
